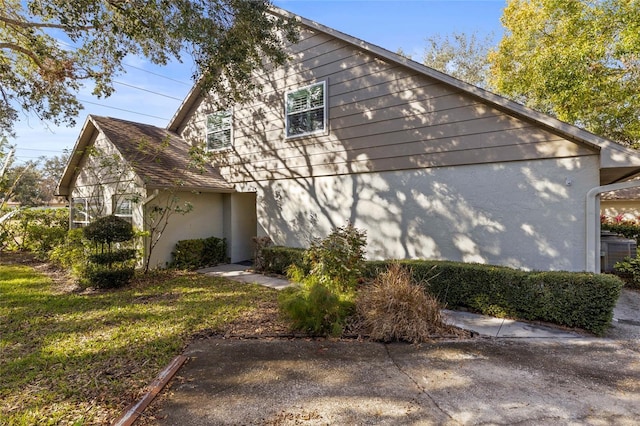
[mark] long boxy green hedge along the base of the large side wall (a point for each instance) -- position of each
(572, 299)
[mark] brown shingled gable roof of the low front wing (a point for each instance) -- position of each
(158, 156)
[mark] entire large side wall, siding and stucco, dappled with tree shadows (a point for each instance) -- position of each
(427, 170)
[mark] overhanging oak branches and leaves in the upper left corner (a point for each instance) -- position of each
(48, 48)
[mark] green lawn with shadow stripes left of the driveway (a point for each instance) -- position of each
(69, 358)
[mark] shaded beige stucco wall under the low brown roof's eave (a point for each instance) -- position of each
(203, 221)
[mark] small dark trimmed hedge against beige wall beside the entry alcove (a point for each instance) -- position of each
(200, 253)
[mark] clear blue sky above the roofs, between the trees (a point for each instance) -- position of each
(386, 23)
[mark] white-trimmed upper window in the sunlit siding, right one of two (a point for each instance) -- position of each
(306, 110)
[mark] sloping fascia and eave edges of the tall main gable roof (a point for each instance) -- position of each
(617, 162)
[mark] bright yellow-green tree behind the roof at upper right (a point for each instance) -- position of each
(578, 60)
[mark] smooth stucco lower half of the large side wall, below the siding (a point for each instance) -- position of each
(520, 214)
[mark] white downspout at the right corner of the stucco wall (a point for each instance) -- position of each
(592, 263)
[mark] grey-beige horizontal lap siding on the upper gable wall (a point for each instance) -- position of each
(382, 117)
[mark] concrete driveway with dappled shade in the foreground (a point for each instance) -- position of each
(485, 380)
